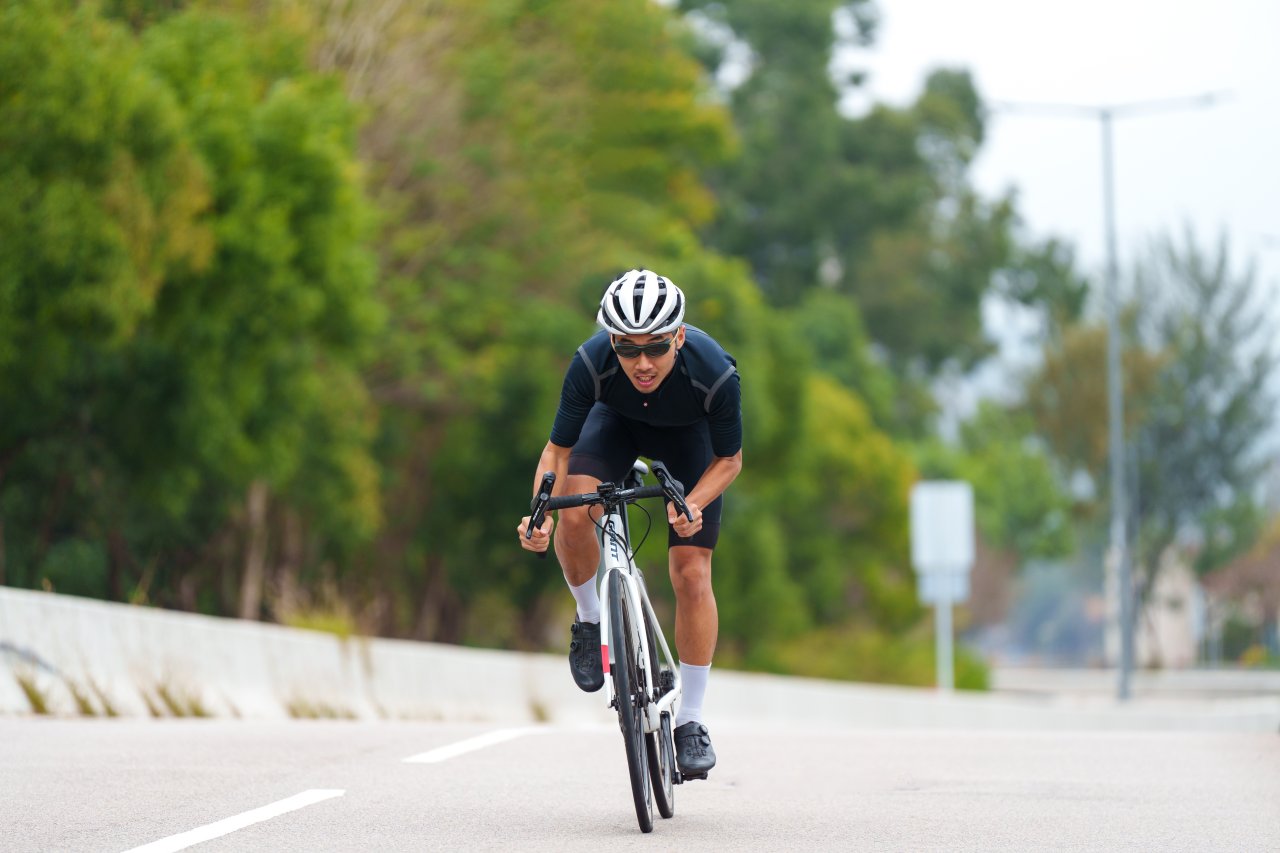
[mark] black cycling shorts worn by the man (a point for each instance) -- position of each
(610, 445)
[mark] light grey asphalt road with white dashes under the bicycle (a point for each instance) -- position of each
(235, 786)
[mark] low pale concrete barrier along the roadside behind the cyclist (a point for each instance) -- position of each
(75, 656)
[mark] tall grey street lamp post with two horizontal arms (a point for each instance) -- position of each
(1116, 389)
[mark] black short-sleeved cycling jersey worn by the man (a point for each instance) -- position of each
(705, 386)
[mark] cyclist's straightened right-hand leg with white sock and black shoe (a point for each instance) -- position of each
(697, 630)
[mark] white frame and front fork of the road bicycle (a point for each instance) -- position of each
(614, 535)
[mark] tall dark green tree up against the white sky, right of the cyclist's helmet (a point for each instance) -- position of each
(877, 207)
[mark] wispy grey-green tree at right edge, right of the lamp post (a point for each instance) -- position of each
(1196, 448)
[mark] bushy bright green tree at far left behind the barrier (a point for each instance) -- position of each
(194, 300)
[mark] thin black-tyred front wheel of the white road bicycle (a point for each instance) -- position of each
(630, 699)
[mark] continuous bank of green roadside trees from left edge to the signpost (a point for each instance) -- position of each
(294, 286)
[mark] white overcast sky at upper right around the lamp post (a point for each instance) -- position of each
(1215, 168)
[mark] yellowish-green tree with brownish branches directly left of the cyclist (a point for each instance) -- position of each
(519, 166)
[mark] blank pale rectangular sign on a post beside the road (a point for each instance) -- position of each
(943, 556)
